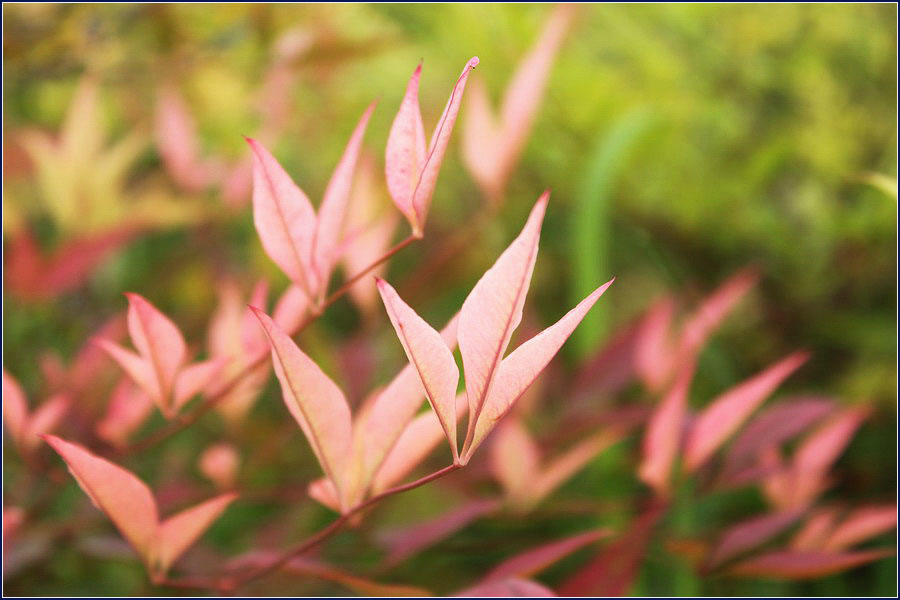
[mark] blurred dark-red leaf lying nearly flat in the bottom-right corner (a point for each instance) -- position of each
(786, 564)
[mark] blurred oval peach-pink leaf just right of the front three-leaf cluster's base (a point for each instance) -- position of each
(515, 459)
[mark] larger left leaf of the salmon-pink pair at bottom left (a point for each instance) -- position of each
(125, 499)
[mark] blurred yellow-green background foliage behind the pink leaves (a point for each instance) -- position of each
(681, 142)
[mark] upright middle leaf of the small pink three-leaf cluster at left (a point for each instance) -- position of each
(158, 341)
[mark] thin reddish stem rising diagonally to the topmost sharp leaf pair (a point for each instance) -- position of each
(186, 420)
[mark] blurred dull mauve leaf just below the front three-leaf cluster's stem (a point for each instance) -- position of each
(410, 540)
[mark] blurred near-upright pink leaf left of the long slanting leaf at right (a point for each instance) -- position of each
(663, 436)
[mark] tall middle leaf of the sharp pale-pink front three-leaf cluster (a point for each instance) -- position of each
(493, 310)
